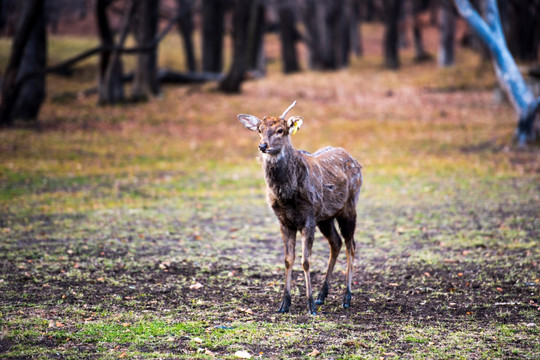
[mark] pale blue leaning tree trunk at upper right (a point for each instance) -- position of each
(508, 74)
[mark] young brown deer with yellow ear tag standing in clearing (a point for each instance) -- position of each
(308, 190)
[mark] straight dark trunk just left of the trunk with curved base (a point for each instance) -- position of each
(213, 13)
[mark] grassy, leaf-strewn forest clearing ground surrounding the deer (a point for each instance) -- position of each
(141, 230)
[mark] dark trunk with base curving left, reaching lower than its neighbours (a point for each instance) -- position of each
(233, 81)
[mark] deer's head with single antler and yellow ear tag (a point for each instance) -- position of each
(274, 130)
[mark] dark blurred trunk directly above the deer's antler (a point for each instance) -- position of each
(289, 36)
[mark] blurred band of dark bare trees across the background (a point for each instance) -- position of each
(314, 35)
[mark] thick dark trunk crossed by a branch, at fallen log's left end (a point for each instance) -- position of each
(146, 84)
